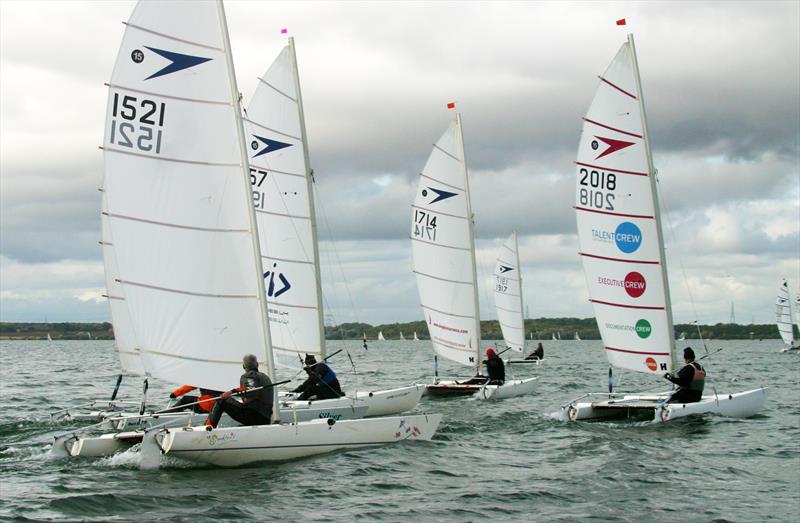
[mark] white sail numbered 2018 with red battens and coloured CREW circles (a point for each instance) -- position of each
(618, 224)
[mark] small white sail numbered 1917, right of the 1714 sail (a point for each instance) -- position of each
(508, 294)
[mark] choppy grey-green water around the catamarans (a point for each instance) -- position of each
(507, 460)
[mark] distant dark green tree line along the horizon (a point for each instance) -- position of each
(536, 329)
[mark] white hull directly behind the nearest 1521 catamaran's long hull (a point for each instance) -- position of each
(378, 403)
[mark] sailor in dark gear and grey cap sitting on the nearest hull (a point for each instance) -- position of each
(256, 405)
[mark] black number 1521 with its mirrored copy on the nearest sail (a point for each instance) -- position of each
(136, 123)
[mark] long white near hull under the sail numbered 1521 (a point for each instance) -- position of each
(243, 445)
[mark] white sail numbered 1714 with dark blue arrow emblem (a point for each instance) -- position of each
(443, 251)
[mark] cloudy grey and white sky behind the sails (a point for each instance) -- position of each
(721, 81)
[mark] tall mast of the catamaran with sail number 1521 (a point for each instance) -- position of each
(262, 294)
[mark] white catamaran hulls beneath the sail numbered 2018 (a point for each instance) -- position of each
(739, 405)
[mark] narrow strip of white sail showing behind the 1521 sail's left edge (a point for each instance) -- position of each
(124, 336)
